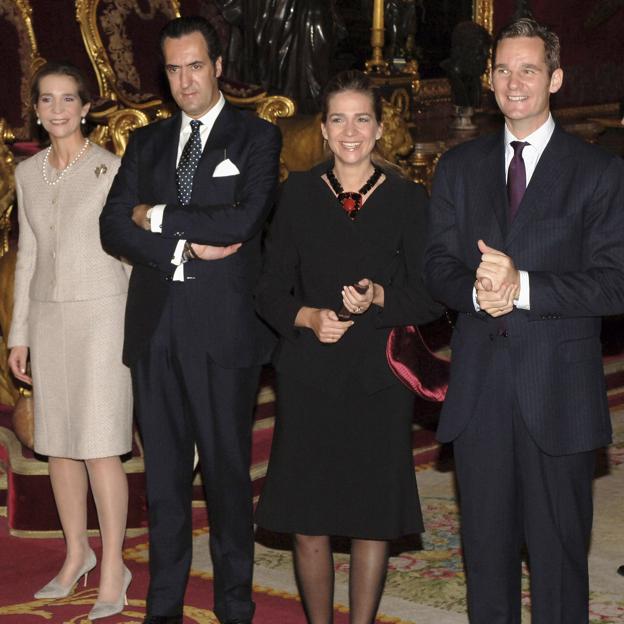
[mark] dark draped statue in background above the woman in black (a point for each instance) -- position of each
(284, 45)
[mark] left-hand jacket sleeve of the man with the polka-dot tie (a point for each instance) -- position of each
(119, 235)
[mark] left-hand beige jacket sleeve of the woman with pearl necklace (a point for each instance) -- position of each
(24, 270)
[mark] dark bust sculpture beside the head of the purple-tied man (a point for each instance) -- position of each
(470, 47)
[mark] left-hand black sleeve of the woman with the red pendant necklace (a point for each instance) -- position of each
(276, 302)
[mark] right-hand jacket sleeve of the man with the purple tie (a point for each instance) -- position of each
(597, 289)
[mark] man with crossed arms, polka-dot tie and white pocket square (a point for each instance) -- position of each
(190, 189)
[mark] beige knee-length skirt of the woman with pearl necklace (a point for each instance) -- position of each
(82, 391)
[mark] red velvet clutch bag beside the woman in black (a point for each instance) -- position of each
(423, 372)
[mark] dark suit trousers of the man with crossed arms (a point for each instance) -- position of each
(183, 398)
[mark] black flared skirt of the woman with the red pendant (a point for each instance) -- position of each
(341, 464)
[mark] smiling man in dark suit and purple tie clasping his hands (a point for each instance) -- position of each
(526, 242)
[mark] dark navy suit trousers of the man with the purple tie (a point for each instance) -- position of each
(512, 494)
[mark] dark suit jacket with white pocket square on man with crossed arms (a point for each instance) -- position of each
(223, 210)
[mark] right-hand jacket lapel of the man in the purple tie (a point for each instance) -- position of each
(545, 178)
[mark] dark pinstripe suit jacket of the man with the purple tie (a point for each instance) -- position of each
(569, 235)
